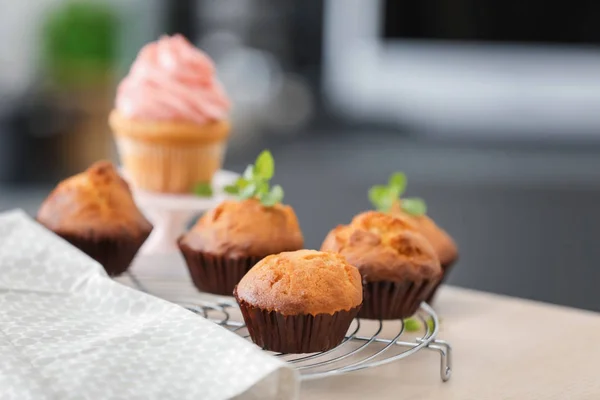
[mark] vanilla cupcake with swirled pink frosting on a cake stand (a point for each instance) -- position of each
(170, 120)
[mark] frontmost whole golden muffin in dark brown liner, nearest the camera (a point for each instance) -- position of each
(299, 302)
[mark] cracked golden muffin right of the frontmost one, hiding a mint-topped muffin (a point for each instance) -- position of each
(399, 267)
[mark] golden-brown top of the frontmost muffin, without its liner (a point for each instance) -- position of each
(302, 282)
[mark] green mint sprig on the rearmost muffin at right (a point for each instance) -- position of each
(383, 197)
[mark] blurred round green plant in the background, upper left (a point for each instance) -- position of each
(79, 41)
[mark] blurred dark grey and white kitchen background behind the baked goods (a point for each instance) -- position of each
(492, 108)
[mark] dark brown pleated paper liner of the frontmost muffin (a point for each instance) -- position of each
(303, 333)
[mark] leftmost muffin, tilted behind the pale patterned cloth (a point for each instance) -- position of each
(95, 212)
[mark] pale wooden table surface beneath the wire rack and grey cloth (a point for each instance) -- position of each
(503, 348)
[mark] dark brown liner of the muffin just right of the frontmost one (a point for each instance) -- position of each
(394, 300)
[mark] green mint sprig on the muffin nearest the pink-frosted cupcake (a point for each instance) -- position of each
(255, 182)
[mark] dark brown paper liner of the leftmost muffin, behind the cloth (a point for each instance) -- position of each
(115, 254)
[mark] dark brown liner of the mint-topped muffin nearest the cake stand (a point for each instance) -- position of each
(216, 274)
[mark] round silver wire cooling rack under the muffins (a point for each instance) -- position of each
(364, 346)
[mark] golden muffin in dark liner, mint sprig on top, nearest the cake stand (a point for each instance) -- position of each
(228, 240)
